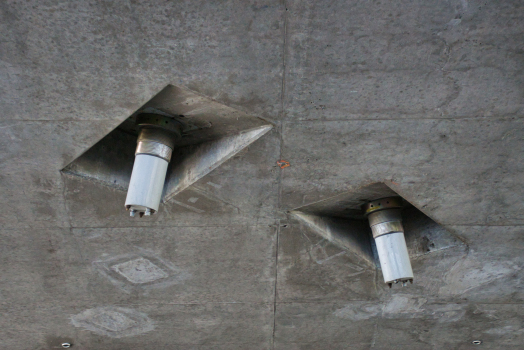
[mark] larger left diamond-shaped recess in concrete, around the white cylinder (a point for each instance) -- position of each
(212, 134)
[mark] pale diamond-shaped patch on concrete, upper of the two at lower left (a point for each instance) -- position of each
(141, 271)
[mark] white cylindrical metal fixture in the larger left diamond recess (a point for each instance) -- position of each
(156, 139)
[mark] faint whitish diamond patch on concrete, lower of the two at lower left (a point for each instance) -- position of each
(114, 322)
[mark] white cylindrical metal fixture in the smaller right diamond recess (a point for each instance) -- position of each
(385, 219)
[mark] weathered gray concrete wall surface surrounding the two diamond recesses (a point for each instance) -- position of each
(426, 95)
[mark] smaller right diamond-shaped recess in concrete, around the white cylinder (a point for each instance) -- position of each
(340, 220)
